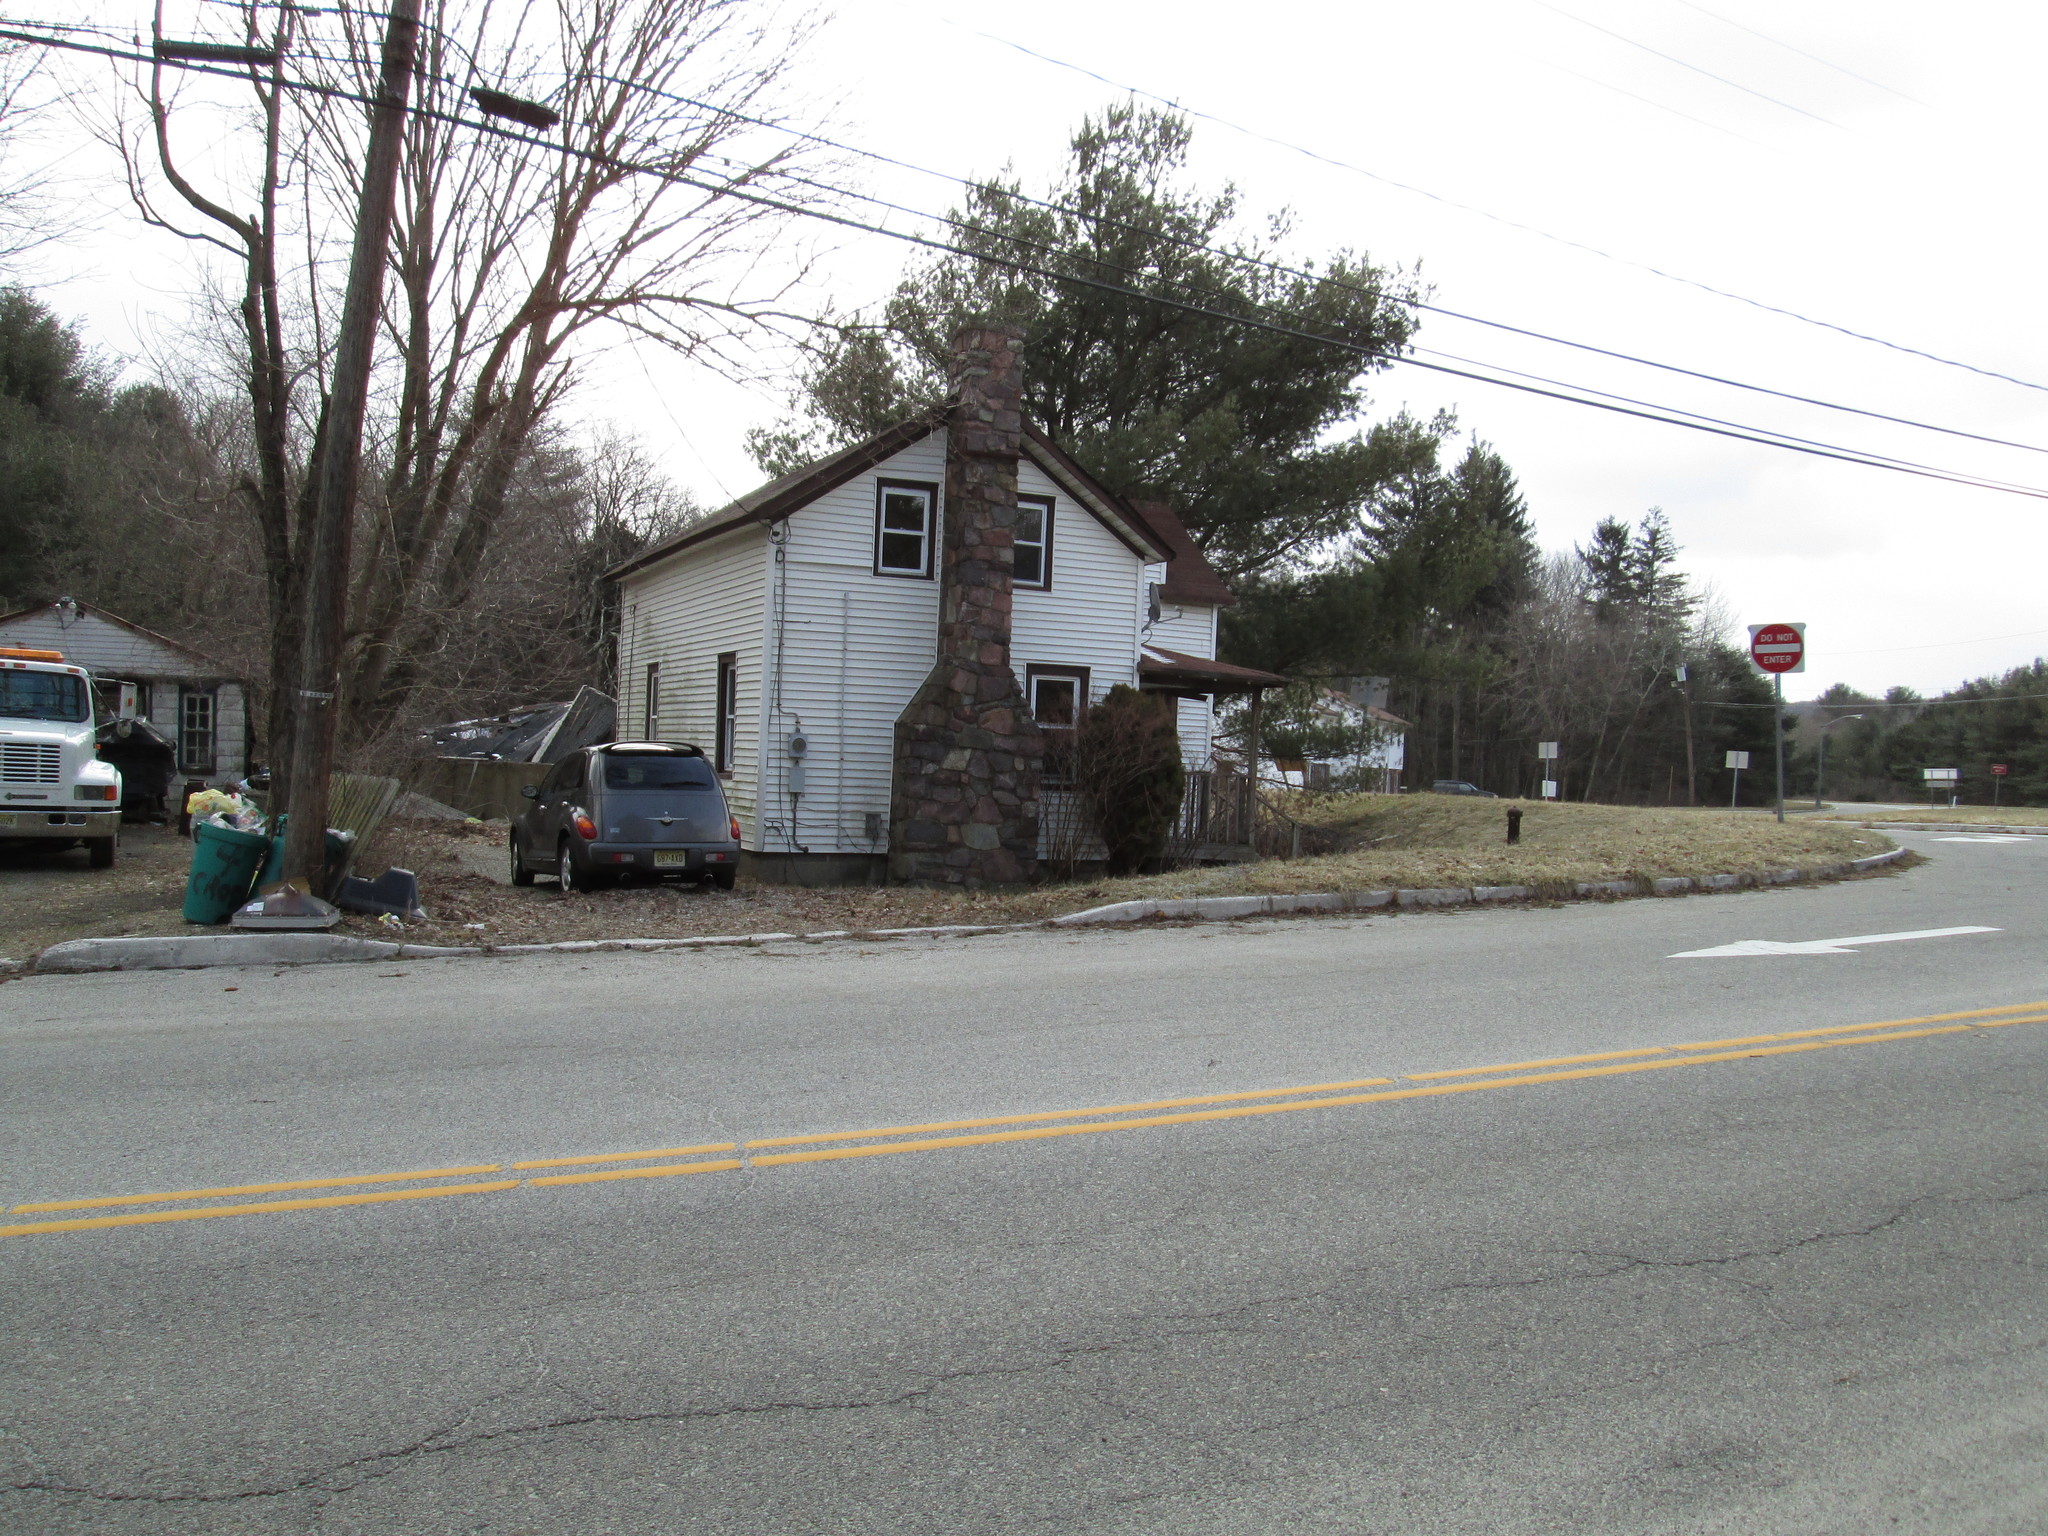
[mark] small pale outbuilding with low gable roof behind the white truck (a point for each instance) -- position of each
(185, 695)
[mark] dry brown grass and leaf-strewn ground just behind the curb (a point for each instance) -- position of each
(1390, 843)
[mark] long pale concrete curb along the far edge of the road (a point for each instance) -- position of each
(200, 951)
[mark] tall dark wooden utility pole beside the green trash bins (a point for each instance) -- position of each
(339, 458)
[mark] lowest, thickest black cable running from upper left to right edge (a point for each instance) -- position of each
(1641, 411)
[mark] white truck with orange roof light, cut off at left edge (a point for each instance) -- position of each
(54, 790)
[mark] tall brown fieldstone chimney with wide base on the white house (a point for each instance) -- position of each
(968, 753)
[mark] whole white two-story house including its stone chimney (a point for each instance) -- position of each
(792, 634)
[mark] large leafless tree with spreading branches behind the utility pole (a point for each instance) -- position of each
(648, 210)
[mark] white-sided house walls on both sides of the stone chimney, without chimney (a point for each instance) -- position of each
(790, 632)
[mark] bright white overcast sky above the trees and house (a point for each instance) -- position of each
(1875, 167)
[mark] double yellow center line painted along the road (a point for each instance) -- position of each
(945, 1136)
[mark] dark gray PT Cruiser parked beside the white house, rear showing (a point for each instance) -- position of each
(628, 808)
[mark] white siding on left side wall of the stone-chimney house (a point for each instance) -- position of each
(681, 615)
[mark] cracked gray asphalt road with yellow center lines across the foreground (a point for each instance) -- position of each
(1670, 1285)
